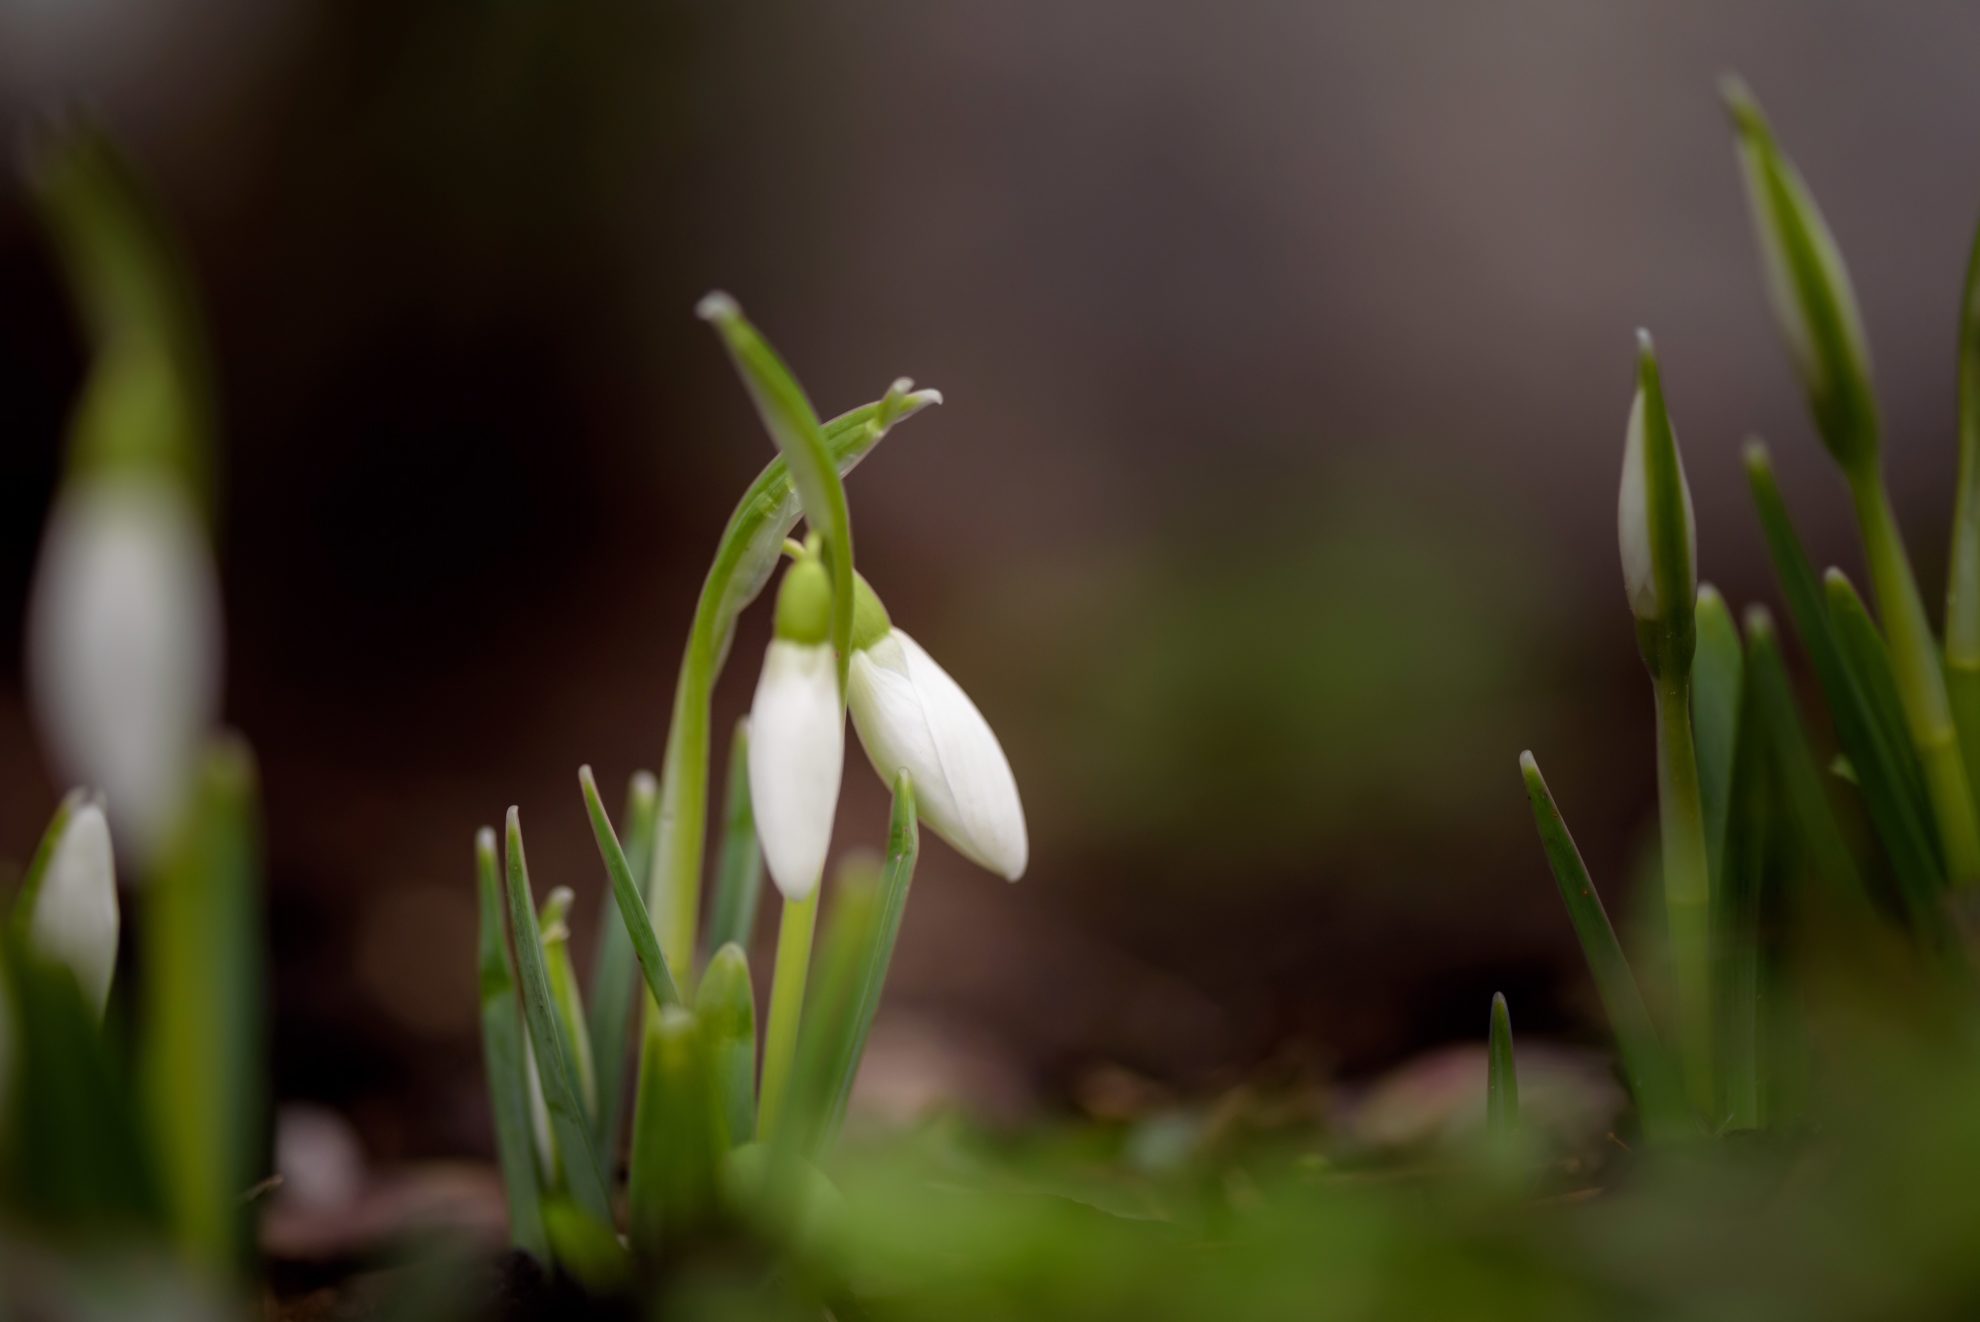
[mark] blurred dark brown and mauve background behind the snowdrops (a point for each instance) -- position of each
(1288, 351)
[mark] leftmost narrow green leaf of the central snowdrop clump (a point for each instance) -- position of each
(502, 1060)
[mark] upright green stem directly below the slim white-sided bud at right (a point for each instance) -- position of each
(1686, 886)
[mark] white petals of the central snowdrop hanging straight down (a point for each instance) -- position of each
(797, 755)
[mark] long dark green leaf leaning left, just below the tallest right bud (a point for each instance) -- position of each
(1904, 826)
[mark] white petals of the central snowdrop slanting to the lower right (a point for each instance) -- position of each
(912, 715)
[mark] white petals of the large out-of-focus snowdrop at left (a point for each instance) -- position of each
(124, 646)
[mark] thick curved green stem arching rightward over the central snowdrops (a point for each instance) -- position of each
(743, 563)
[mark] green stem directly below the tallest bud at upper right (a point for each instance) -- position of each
(1920, 682)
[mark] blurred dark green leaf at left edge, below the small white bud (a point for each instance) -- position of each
(72, 1149)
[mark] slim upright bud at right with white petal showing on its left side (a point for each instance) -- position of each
(1654, 521)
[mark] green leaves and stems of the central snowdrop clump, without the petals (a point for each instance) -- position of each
(716, 1145)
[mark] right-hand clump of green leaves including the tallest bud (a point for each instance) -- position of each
(1884, 836)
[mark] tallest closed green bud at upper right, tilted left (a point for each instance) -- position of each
(1809, 288)
